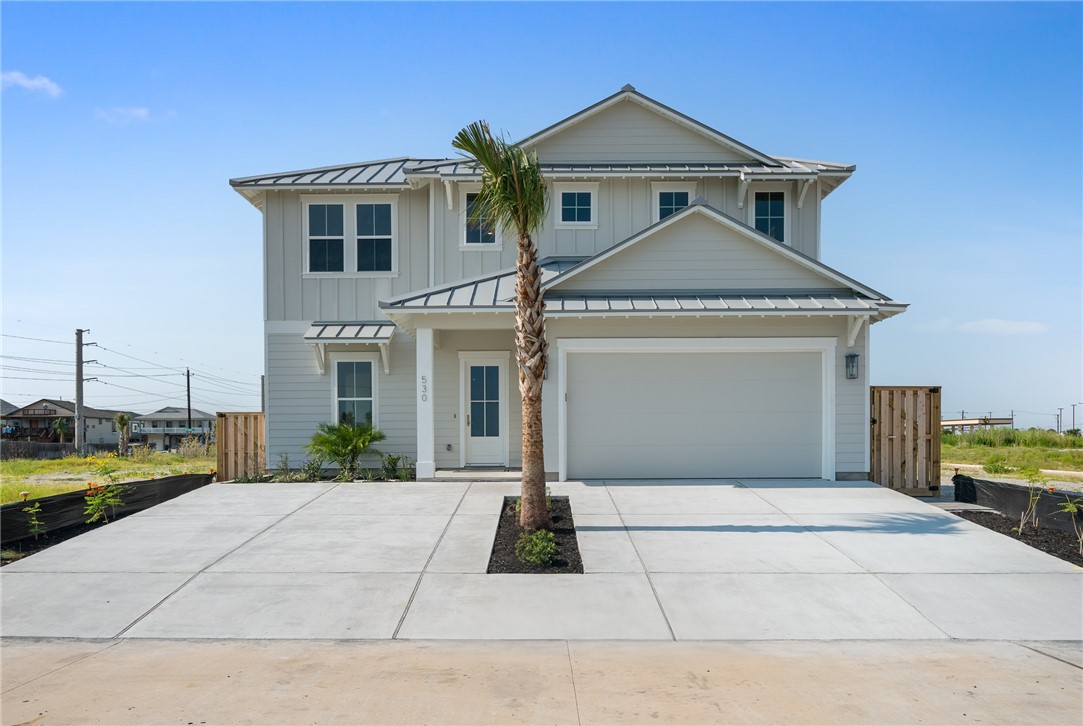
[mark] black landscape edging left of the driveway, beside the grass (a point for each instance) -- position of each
(63, 511)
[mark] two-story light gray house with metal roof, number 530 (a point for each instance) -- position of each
(694, 331)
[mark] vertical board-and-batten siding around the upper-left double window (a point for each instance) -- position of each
(291, 295)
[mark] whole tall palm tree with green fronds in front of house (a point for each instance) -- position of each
(514, 197)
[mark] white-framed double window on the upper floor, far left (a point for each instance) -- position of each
(367, 223)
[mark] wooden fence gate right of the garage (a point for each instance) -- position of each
(906, 438)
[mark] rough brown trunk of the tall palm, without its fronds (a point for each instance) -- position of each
(531, 354)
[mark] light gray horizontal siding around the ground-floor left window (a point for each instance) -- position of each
(301, 398)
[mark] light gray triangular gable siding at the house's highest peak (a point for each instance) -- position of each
(630, 133)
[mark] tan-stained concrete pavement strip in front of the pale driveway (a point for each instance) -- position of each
(291, 682)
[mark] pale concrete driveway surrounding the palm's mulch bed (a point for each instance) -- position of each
(704, 561)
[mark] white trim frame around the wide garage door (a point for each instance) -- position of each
(826, 347)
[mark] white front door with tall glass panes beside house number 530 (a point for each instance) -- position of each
(485, 416)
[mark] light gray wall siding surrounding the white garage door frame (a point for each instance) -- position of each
(852, 417)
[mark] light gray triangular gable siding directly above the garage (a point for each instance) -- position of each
(697, 254)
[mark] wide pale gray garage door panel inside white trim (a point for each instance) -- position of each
(695, 416)
